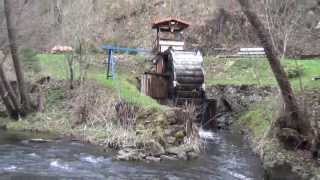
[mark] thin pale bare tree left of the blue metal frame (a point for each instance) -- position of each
(78, 34)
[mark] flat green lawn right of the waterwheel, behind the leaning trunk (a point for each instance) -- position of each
(257, 71)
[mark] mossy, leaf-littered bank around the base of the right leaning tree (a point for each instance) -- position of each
(279, 163)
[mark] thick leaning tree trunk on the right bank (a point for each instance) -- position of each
(294, 119)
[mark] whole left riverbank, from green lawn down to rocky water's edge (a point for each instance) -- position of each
(109, 113)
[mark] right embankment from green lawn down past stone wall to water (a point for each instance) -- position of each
(258, 106)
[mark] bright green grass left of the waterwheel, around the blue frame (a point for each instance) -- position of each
(56, 67)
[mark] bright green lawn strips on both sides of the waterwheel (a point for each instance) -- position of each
(219, 71)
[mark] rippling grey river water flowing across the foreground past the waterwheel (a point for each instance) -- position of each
(226, 157)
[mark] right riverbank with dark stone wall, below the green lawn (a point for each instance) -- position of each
(253, 110)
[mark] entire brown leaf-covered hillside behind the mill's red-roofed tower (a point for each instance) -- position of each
(215, 23)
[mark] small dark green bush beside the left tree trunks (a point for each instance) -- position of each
(30, 60)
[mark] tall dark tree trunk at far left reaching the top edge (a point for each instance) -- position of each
(25, 99)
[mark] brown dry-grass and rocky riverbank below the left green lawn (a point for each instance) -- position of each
(97, 117)
